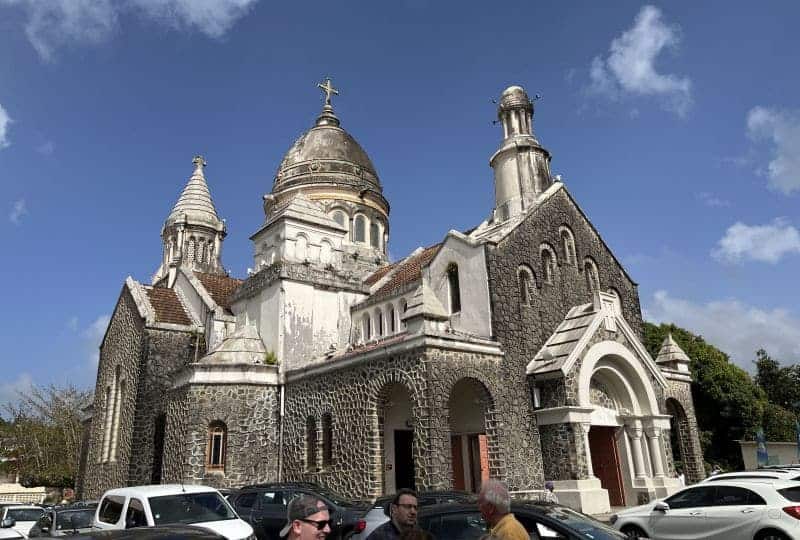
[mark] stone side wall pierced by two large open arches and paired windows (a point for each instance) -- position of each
(355, 398)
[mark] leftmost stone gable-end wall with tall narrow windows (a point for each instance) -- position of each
(123, 349)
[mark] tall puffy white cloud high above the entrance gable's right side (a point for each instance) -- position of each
(630, 68)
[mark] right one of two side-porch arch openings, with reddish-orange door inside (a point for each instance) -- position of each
(469, 404)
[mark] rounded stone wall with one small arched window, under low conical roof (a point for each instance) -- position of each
(250, 414)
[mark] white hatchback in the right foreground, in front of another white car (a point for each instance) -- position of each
(726, 510)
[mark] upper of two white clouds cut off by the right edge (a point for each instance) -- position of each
(782, 129)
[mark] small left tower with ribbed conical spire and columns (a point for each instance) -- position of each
(193, 232)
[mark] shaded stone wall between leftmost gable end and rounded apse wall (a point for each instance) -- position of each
(166, 352)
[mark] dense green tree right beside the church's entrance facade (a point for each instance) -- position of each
(729, 404)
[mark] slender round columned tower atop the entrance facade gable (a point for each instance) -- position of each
(521, 165)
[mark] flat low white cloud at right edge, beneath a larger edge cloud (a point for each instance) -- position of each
(764, 243)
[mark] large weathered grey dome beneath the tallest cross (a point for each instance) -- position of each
(326, 154)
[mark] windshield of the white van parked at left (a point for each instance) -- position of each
(190, 508)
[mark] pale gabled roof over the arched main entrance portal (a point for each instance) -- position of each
(572, 338)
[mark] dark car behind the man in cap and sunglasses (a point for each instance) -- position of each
(264, 507)
